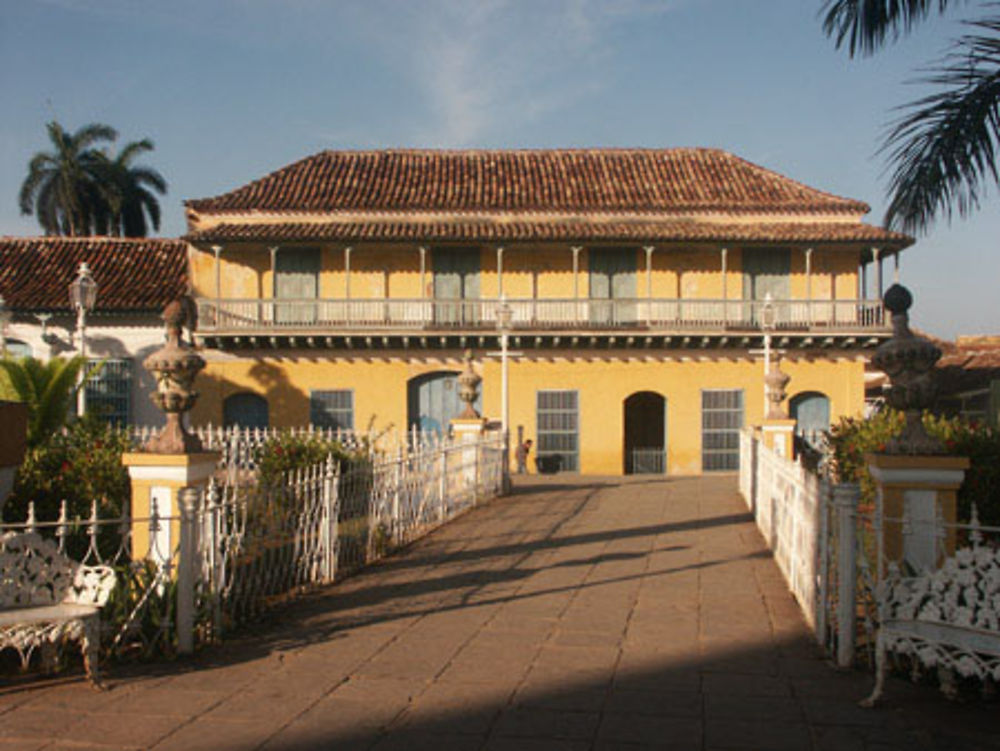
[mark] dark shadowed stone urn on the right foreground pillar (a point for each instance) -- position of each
(909, 361)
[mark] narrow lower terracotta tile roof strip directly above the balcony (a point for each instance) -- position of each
(680, 230)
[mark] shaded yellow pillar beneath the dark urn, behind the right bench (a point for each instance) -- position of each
(914, 488)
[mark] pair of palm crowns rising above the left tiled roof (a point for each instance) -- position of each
(79, 188)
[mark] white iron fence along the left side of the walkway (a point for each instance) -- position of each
(236, 547)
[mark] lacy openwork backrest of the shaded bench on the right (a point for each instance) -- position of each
(964, 592)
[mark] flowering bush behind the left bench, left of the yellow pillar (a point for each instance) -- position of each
(79, 464)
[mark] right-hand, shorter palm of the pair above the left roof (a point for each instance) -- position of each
(130, 191)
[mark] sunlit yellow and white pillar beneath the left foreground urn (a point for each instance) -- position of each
(158, 478)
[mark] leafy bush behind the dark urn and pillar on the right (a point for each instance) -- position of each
(852, 438)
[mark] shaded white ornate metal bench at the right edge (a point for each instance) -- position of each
(947, 619)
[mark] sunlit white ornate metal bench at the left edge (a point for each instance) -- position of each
(47, 599)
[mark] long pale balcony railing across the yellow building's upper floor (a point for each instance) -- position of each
(270, 315)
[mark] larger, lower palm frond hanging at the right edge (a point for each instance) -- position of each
(943, 150)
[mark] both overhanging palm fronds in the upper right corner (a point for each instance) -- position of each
(942, 149)
